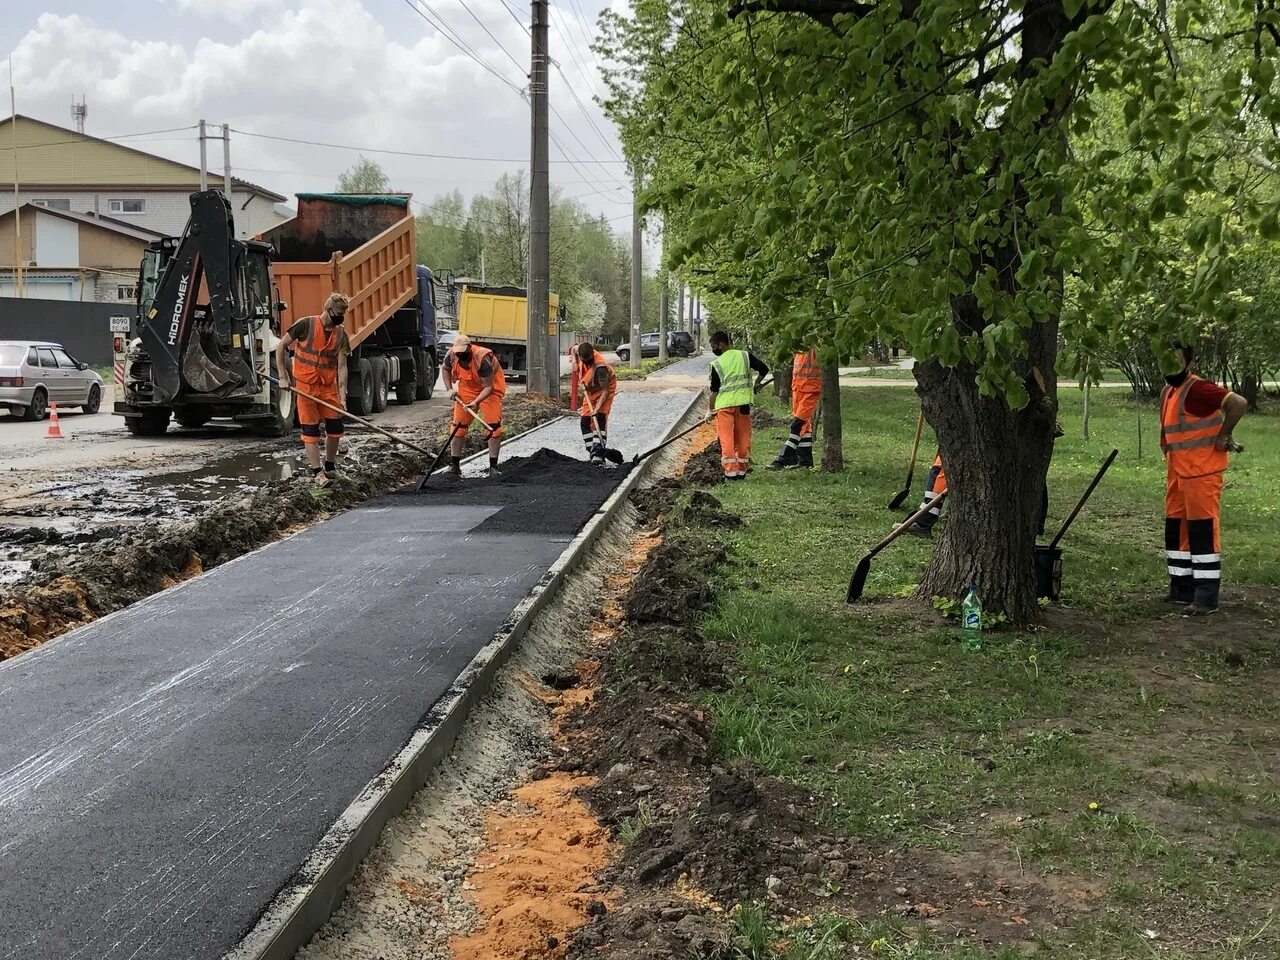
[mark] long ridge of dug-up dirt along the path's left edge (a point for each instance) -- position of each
(112, 574)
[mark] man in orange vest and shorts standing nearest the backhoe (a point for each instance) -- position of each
(321, 351)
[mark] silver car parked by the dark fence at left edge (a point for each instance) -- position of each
(35, 374)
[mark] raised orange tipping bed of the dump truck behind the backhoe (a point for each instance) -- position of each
(359, 245)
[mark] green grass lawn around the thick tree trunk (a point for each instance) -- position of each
(1122, 758)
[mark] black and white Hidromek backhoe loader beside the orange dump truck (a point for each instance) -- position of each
(202, 344)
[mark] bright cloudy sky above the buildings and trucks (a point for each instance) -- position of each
(372, 75)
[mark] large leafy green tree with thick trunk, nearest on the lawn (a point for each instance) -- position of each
(929, 173)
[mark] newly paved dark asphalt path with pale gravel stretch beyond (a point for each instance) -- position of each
(173, 772)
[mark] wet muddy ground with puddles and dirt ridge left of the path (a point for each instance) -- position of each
(84, 550)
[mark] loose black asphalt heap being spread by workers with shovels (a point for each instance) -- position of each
(543, 493)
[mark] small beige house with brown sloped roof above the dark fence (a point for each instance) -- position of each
(74, 257)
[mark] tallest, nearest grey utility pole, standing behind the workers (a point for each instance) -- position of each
(542, 378)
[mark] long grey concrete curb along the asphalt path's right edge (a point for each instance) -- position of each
(305, 904)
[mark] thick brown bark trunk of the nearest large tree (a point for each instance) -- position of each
(996, 460)
